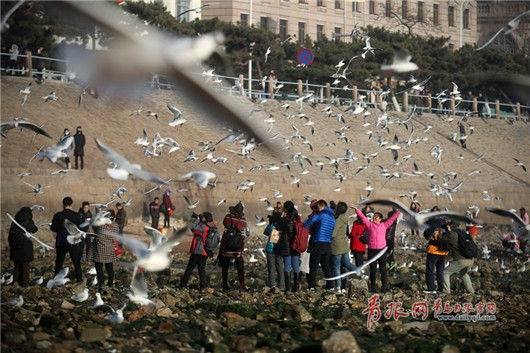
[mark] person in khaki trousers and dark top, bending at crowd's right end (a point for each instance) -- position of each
(460, 264)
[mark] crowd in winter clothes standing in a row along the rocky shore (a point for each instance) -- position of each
(294, 246)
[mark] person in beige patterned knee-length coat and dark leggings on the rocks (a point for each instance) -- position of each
(103, 252)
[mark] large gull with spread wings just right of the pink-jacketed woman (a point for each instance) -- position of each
(416, 221)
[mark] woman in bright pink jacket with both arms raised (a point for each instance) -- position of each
(376, 242)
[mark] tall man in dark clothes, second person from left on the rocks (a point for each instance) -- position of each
(62, 245)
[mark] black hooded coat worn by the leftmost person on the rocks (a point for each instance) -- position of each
(20, 246)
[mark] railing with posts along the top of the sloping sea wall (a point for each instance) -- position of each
(57, 69)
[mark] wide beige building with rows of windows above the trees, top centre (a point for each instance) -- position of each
(318, 18)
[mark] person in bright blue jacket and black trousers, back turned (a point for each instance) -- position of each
(320, 247)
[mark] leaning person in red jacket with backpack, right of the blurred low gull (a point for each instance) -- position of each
(199, 254)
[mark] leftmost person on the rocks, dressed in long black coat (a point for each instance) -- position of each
(20, 246)
